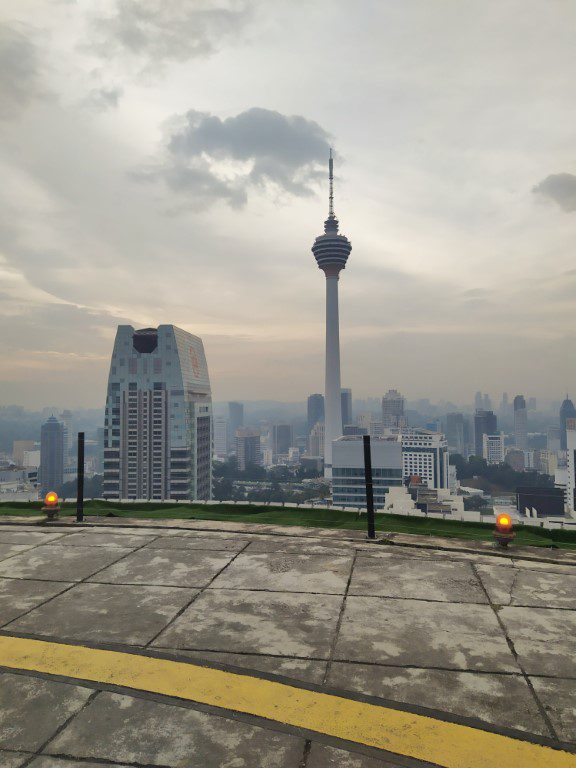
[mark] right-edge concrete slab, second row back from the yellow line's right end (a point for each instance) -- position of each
(544, 639)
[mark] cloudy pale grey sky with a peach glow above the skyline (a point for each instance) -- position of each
(165, 161)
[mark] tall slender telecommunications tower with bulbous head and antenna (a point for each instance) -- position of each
(331, 252)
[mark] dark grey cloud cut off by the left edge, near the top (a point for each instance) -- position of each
(19, 71)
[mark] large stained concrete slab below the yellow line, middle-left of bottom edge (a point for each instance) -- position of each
(125, 729)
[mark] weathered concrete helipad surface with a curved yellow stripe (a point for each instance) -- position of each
(209, 645)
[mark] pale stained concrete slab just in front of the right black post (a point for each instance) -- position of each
(417, 579)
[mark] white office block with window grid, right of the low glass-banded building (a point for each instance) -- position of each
(425, 454)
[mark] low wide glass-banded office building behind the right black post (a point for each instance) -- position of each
(348, 483)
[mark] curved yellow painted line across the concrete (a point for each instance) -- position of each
(417, 736)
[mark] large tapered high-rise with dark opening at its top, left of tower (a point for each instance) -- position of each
(158, 441)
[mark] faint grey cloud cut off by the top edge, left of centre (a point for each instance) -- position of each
(171, 30)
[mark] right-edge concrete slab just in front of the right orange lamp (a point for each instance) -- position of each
(519, 586)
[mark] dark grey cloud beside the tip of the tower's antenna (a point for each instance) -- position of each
(258, 148)
